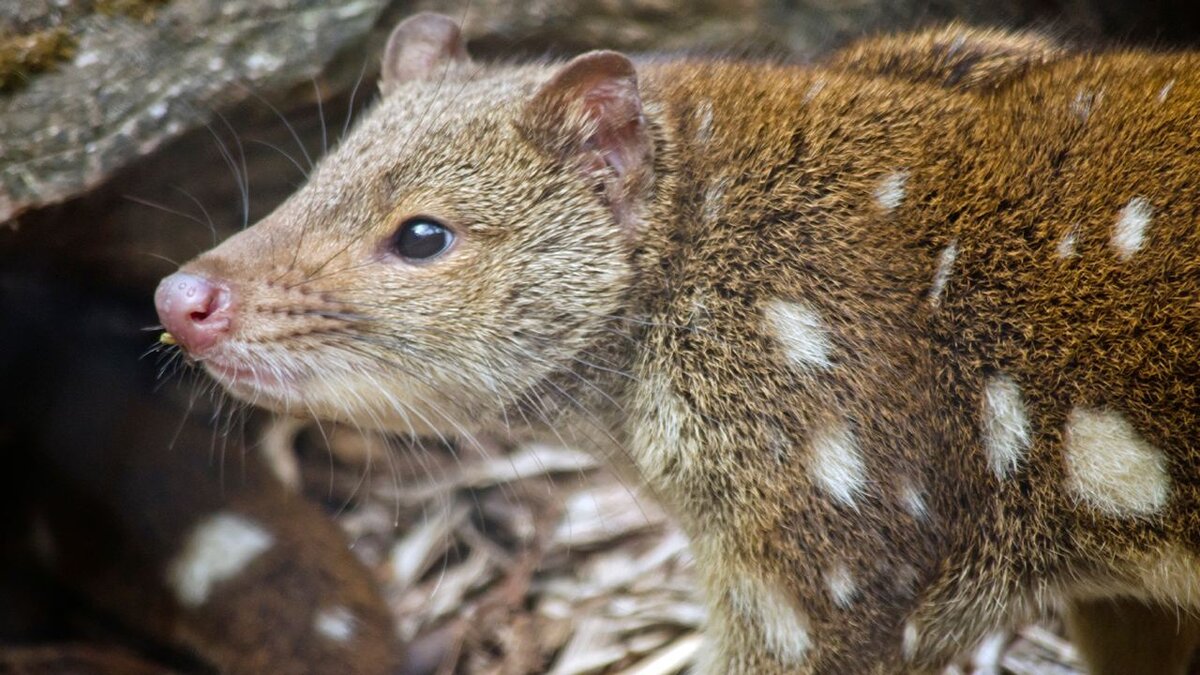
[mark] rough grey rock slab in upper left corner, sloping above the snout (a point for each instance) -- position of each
(133, 85)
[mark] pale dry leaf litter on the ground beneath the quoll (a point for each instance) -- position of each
(505, 560)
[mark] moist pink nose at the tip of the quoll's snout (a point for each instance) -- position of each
(196, 312)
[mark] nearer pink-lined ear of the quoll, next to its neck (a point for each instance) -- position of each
(591, 115)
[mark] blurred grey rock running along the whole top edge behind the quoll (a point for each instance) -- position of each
(135, 74)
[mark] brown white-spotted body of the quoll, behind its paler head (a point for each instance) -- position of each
(941, 359)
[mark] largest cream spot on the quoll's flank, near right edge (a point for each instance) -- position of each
(1112, 467)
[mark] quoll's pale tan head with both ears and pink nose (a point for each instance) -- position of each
(467, 240)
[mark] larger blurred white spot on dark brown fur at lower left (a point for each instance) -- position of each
(219, 549)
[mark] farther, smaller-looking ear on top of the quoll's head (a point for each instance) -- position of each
(419, 47)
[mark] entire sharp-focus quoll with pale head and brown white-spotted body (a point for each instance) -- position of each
(910, 344)
